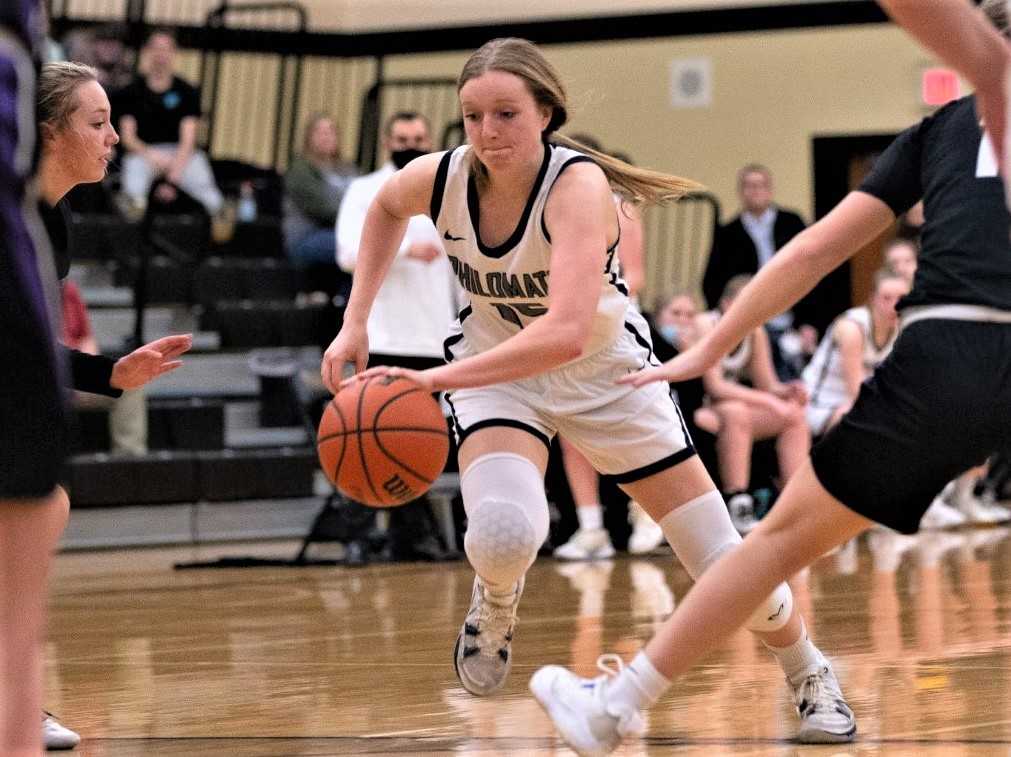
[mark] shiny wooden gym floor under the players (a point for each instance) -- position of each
(145, 660)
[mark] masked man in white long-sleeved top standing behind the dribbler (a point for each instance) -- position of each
(415, 307)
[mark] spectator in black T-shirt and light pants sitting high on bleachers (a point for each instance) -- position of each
(159, 115)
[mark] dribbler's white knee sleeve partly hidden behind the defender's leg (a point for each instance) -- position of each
(701, 533)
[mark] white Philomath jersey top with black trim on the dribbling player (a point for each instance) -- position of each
(507, 288)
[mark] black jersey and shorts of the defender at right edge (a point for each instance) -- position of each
(942, 403)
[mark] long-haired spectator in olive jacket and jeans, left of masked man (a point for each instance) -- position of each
(314, 188)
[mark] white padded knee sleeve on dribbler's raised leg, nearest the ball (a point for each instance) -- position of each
(507, 517)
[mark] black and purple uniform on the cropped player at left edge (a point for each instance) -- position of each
(32, 413)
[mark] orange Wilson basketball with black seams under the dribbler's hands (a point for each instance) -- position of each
(383, 442)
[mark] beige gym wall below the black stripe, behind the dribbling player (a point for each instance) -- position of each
(773, 92)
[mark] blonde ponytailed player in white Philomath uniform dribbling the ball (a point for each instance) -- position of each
(531, 231)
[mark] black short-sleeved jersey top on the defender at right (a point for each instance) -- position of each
(966, 255)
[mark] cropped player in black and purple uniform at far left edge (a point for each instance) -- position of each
(32, 511)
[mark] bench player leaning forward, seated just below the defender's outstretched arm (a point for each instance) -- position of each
(747, 403)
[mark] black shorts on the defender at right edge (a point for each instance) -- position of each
(939, 406)
